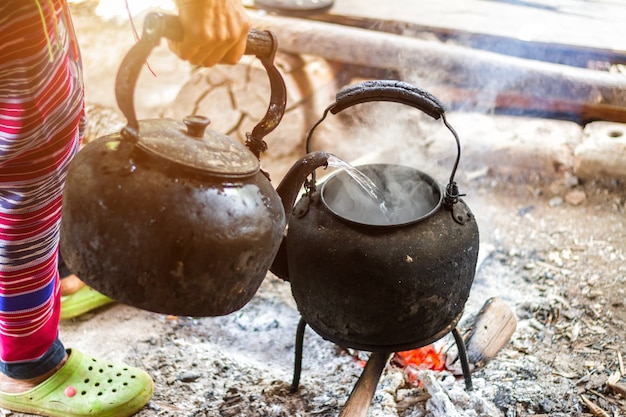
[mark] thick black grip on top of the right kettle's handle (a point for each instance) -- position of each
(388, 90)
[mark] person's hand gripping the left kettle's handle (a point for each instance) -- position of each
(215, 31)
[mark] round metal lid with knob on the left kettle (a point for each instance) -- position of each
(190, 145)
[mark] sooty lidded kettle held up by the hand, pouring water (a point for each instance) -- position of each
(170, 216)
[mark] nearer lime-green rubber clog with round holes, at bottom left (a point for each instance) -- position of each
(85, 386)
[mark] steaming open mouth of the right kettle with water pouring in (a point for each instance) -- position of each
(380, 194)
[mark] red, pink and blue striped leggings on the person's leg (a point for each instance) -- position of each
(41, 108)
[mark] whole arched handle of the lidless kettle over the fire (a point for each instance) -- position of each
(398, 92)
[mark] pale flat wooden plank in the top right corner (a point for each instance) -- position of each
(598, 23)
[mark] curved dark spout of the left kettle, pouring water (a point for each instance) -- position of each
(288, 190)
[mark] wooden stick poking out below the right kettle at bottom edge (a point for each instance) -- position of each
(361, 397)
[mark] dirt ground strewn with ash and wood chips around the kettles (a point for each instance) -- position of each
(552, 247)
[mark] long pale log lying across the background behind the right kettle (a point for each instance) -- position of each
(467, 75)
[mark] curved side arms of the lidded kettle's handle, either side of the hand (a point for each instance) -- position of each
(261, 44)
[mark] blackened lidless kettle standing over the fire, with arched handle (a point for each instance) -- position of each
(381, 282)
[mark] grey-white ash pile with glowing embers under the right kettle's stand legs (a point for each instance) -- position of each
(242, 364)
